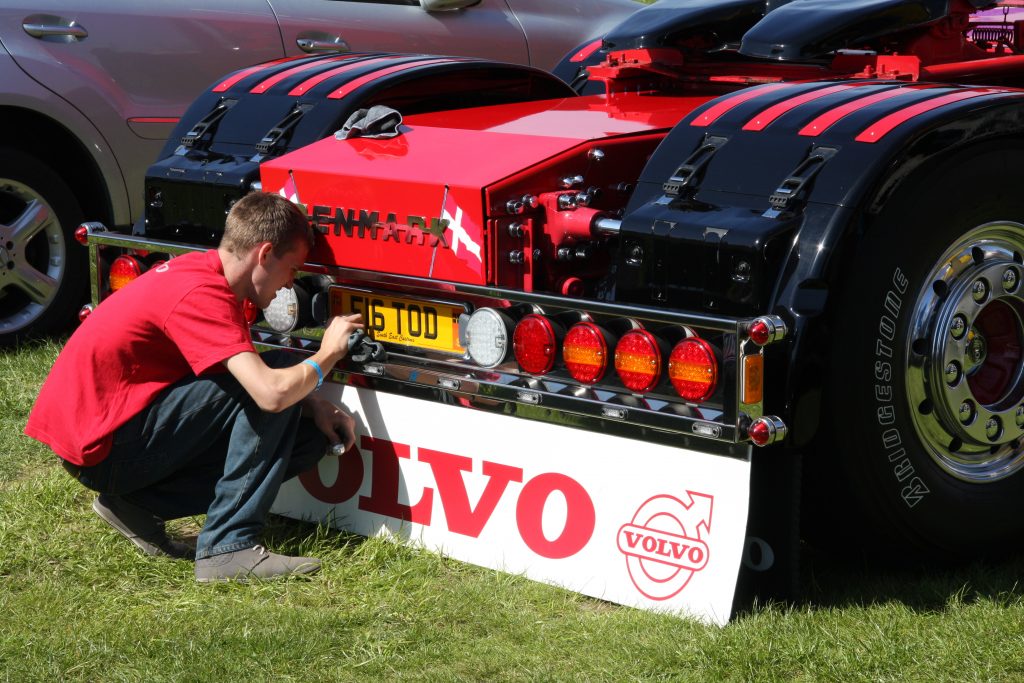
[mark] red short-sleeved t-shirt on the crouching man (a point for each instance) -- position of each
(177, 321)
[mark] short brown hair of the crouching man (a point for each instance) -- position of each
(261, 218)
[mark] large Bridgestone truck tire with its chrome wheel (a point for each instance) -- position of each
(926, 393)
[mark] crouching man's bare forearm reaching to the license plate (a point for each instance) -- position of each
(274, 390)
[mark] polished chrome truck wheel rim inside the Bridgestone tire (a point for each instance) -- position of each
(965, 356)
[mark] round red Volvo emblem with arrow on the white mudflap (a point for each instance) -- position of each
(665, 544)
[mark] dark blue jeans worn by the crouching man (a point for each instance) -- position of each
(203, 446)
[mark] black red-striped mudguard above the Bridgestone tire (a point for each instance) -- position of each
(749, 204)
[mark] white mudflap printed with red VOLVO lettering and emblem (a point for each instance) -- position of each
(626, 522)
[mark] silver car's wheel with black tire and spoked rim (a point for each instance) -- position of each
(42, 269)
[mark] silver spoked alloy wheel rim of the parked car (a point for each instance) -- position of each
(33, 255)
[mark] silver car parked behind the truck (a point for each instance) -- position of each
(93, 89)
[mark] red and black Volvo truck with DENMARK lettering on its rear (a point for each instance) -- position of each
(740, 273)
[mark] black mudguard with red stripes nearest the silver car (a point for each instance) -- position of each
(214, 156)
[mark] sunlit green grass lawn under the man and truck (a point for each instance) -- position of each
(78, 604)
